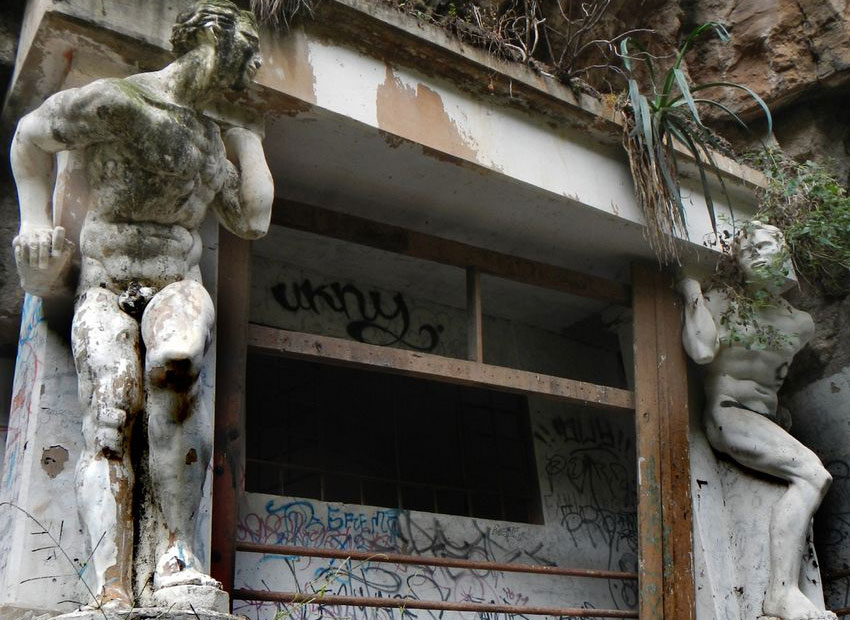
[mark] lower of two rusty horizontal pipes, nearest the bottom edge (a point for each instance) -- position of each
(409, 603)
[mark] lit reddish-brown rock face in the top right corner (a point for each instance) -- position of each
(793, 53)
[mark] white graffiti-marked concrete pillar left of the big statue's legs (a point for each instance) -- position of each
(38, 476)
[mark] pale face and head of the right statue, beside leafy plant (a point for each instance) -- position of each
(761, 253)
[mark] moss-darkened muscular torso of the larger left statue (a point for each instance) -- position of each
(151, 180)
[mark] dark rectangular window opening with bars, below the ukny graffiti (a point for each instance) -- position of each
(343, 435)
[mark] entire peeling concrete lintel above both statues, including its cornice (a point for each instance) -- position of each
(457, 102)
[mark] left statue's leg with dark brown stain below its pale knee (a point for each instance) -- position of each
(176, 329)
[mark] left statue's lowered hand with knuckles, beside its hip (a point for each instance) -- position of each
(42, 255)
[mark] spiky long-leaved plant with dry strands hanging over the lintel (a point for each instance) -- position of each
(654, 124)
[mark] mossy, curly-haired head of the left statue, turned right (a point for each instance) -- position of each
(233, 33)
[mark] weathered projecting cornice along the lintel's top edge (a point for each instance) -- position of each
(371, 28)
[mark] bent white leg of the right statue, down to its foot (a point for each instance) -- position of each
(757, 442)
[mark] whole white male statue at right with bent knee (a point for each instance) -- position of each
(742, 418)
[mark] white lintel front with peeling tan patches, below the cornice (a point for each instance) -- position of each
(407, 104)
